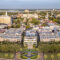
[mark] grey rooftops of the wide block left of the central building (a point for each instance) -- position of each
(12, 33)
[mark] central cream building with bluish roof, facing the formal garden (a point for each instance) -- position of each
(30, 38)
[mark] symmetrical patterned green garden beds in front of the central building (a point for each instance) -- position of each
(24, 54)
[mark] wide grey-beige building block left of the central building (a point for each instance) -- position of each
(12, 35)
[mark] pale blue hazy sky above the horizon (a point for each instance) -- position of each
(29, 4)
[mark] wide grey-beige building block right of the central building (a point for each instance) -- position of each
(46, 35)
